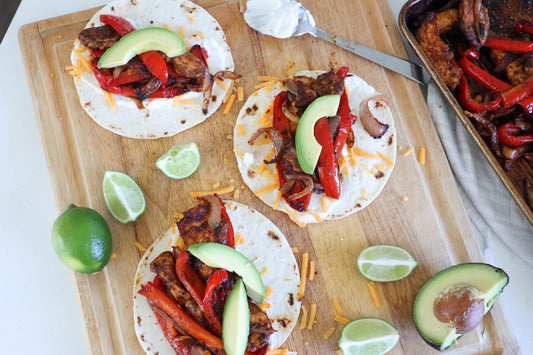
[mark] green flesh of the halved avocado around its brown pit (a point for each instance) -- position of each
(488, 279)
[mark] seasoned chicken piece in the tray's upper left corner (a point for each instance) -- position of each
(438, 52)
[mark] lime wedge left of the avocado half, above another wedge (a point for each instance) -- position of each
(383, 263)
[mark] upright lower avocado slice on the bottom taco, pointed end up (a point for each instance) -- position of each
(236, 321)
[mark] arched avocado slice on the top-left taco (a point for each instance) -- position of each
(140, 41)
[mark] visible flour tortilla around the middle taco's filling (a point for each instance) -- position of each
(358, 188)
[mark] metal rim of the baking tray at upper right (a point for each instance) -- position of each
(408, 21)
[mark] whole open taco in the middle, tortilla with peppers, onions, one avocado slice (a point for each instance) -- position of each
(356, 144)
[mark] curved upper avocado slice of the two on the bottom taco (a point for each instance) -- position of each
(224, 257)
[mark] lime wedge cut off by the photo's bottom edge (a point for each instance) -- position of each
(368, 336)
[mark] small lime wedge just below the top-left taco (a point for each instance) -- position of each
(180, 161)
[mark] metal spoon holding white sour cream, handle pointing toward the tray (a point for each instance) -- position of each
(288, 18)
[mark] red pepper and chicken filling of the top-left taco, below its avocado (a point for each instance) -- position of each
(150, 74)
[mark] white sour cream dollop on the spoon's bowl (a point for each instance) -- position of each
(277, 18)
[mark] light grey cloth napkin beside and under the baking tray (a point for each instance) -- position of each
(489, 205)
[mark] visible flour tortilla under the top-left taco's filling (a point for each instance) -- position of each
(159, 118)
